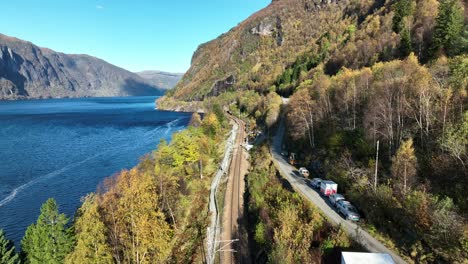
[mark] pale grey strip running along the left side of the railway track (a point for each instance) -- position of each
(214, 228)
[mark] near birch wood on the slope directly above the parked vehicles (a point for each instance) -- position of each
(420, 122)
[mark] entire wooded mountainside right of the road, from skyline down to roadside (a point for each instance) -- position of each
(364, 78)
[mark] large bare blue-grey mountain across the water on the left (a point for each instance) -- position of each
(28, 71)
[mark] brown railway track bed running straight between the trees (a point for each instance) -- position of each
(230, 249)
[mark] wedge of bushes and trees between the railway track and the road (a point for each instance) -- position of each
(284, 228)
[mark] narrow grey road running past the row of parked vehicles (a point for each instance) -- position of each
(299, 184)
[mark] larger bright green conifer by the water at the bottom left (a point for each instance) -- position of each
(48, 240)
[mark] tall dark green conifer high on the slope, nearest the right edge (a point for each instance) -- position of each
(448, 29)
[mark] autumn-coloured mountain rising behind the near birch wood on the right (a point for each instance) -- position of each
(293, 36)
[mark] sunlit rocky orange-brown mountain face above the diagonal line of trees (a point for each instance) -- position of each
(262, 45)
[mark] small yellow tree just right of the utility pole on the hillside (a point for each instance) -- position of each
(404, 165)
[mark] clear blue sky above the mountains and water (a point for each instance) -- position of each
(133, 34)
